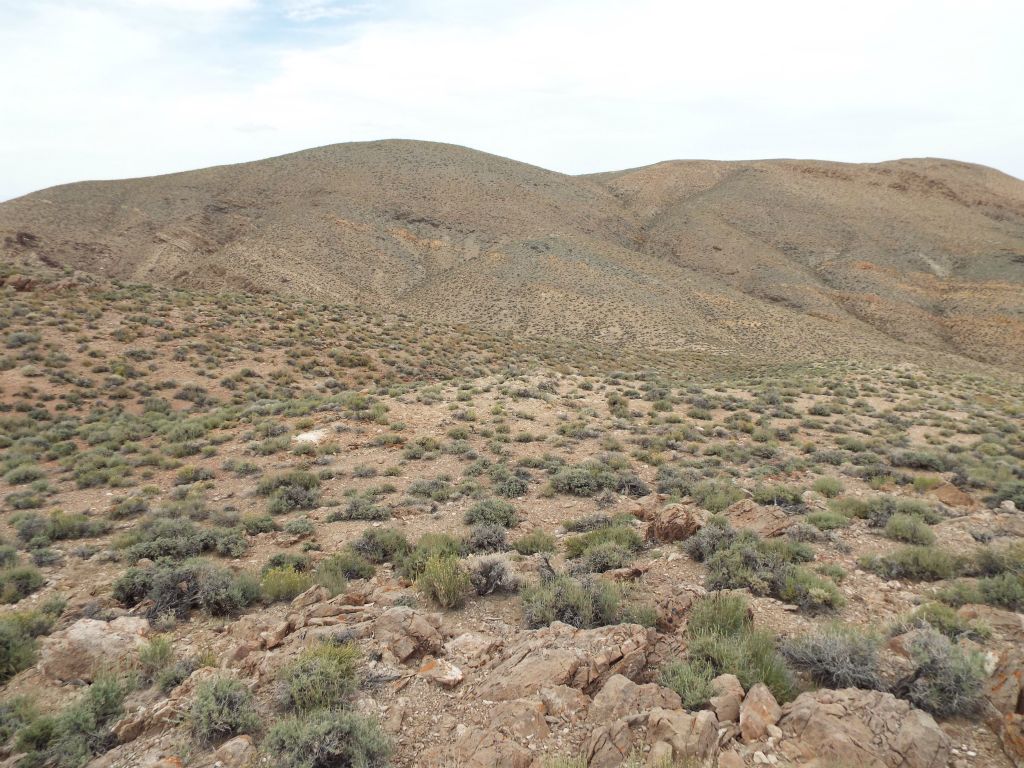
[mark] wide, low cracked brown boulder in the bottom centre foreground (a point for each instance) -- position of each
(561, 655)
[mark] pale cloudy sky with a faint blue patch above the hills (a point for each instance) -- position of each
(120, 89)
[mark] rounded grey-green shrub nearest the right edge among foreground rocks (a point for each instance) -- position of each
(948, 681)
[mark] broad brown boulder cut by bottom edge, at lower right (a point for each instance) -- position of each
(870, 730)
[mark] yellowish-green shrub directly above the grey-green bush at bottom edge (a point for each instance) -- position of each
(322, 677)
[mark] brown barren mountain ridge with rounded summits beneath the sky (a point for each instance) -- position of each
(776, 261)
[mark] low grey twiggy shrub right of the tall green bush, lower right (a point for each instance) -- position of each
(837, 657)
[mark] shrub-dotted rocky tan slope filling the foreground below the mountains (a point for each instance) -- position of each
(264, 440)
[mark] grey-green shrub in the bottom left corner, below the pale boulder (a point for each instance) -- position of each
(80, 732)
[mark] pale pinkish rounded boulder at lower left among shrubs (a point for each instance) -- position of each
(90, 646)
